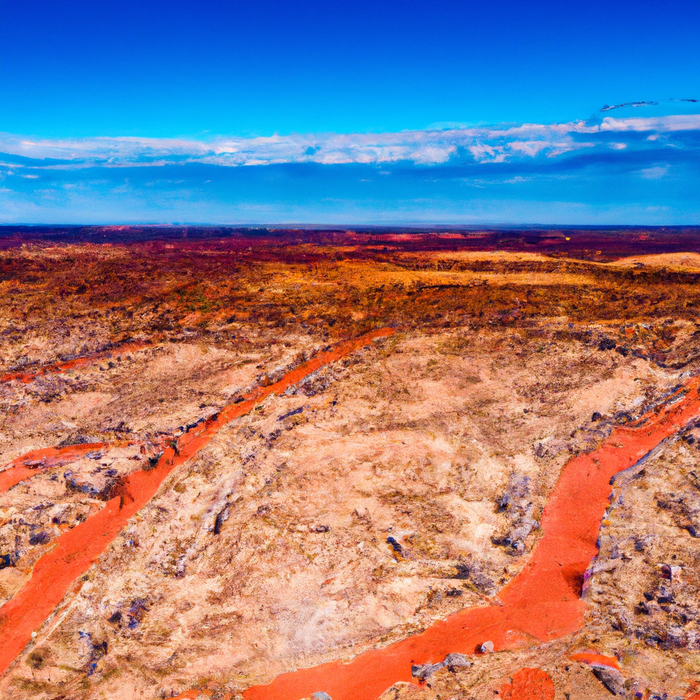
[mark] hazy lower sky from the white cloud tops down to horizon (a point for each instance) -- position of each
(624, 165)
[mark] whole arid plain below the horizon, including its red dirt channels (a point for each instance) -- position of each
(356, 465)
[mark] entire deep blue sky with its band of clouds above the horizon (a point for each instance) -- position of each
(462, 111)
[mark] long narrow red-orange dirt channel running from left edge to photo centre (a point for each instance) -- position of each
(78, 548)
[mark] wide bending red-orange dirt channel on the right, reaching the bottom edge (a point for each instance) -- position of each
(542, 603)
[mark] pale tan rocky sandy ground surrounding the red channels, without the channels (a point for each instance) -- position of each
(359, 507)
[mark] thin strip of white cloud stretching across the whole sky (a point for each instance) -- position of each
(496, 144)
